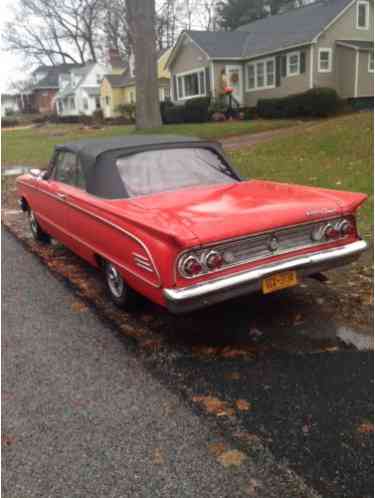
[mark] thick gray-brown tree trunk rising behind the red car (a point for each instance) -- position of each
(142, 26)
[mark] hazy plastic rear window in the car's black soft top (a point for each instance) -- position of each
(156, 171)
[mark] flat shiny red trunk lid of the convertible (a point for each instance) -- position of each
(222, 212)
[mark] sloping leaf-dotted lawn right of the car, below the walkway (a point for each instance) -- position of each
(334, 154)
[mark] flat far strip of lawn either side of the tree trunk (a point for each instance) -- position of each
(34, 146)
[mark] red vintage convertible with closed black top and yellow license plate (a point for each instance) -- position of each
(168, 217)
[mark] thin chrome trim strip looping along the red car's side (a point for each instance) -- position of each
(104, 221)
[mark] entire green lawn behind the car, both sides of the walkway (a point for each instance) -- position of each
(336, 153)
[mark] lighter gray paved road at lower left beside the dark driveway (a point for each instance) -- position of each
(82, 417)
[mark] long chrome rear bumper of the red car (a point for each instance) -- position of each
(181, 300)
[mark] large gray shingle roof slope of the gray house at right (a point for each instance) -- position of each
(272, 33)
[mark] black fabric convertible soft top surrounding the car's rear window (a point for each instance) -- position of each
(98, 157)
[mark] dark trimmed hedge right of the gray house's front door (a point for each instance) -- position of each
(317, 102)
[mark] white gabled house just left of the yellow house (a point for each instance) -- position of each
(79, 90)
